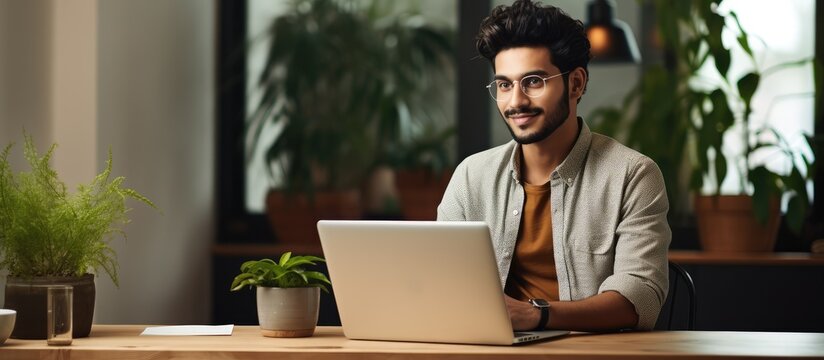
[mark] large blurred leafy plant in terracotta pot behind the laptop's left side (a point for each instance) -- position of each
(339, 88)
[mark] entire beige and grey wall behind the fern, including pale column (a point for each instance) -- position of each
(150, 98)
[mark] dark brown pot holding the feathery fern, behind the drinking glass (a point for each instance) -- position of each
(28, 298)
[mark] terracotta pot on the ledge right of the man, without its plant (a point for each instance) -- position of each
(726, 224)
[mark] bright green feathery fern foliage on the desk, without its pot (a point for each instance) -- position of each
(47, 231)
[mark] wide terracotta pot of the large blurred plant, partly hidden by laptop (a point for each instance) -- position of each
(294, 217)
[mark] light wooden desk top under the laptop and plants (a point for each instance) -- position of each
(122, 341)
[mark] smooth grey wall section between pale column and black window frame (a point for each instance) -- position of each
(156, 111)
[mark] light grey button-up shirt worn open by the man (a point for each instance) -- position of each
(609, 218)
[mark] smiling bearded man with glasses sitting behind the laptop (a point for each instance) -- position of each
(578, 220)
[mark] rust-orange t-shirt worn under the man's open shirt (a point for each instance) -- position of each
(532, 273)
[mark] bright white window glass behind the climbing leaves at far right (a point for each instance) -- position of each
(779, 34)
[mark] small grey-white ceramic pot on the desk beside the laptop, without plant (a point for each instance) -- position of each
(288, 312)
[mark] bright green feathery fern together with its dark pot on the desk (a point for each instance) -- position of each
(49, 237)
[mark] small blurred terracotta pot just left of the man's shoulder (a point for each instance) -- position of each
(420, 192)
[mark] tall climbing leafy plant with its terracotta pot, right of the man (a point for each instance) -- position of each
(681, 117)
